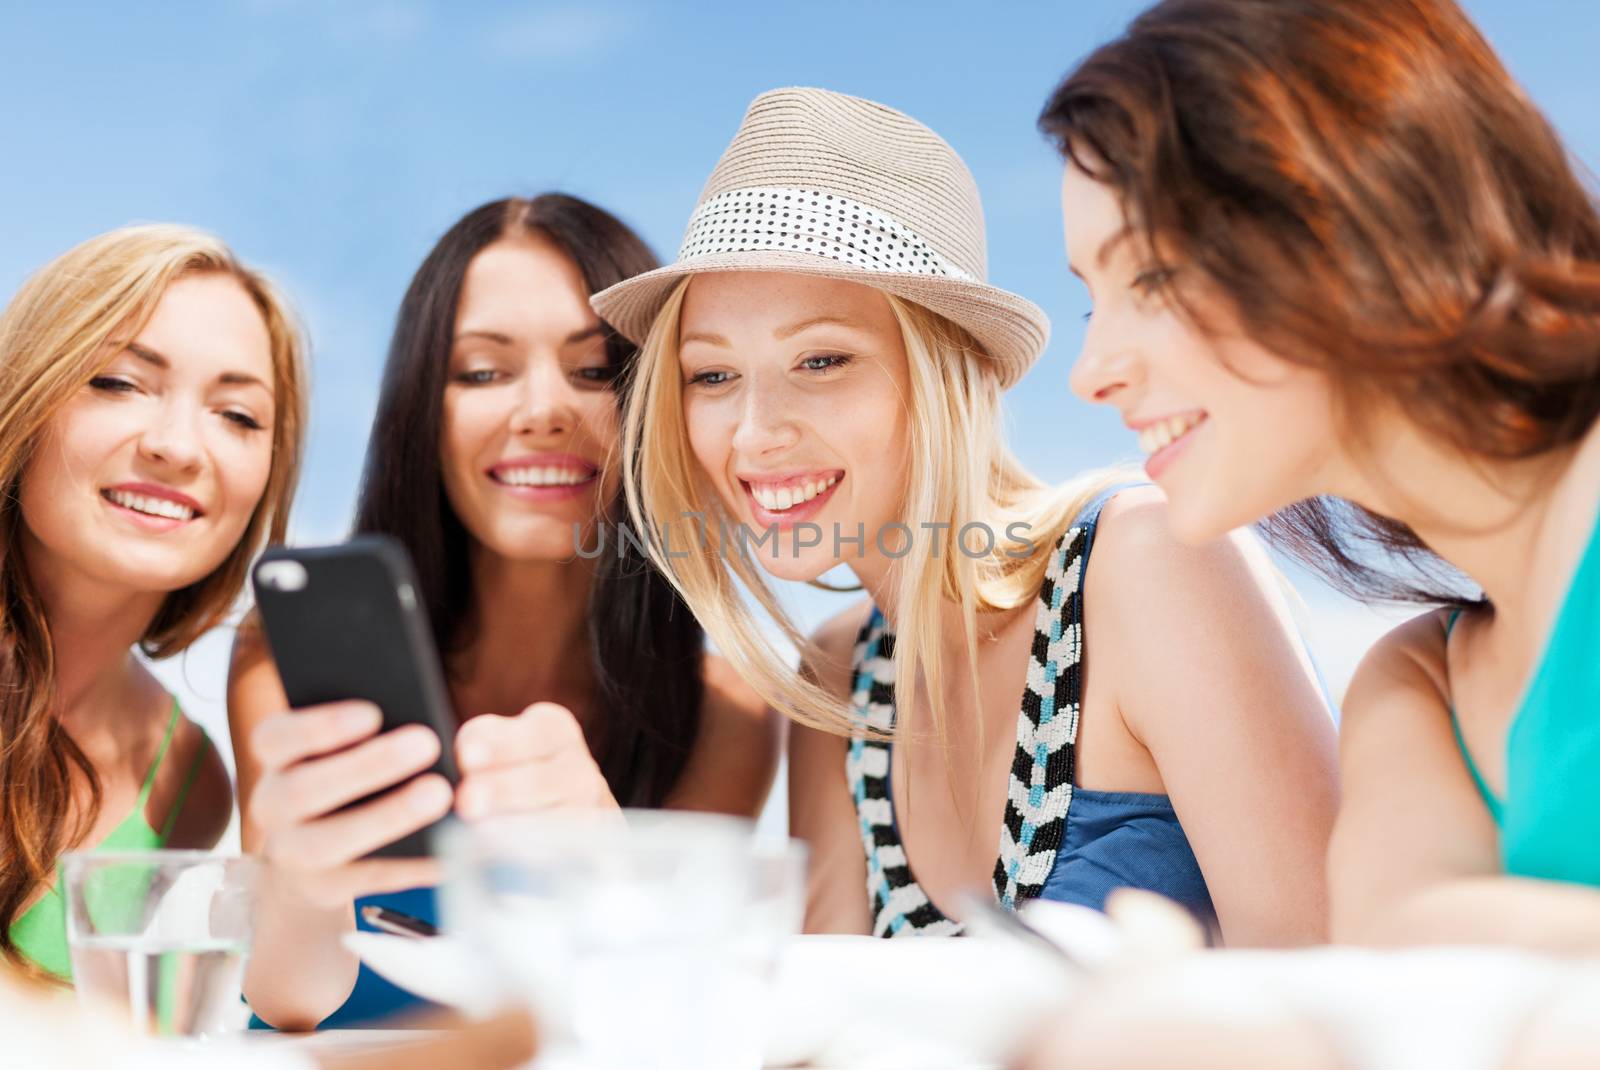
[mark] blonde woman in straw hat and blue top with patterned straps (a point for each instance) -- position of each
(820, 385)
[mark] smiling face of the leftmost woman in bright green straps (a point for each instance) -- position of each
(150, 477)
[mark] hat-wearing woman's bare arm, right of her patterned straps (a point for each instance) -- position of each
(1212, 682)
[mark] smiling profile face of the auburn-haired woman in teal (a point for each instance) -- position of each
(1231, 433)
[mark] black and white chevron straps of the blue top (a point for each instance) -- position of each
(1041, 785)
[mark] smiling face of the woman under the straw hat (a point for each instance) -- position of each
(794, 399)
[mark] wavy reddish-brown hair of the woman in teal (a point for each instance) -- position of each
(1372, 196)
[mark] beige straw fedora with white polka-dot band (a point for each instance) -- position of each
(818, 183)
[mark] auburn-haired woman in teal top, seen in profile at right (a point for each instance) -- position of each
(1346, 277)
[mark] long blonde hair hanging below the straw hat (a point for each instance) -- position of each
(961, 474)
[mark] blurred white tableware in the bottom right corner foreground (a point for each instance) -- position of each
(1329, 1008)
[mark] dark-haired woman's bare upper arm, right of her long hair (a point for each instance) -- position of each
(737, 753)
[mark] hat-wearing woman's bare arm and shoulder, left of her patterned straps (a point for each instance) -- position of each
(822, 810)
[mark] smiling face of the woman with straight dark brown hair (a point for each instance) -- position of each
(530, 417)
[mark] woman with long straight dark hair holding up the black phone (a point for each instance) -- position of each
(494, 460)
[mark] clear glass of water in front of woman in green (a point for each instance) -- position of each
(159, 938)
